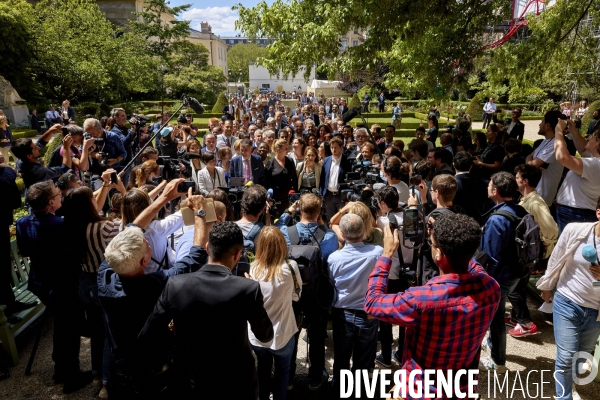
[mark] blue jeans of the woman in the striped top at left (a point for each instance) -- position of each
(100, 352)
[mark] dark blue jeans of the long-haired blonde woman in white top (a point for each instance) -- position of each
(282, 357)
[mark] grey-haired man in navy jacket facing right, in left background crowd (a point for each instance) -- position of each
(108, 152)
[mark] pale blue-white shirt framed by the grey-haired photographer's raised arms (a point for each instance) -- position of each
(157, 235)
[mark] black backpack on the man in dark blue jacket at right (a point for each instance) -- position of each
(527, 249)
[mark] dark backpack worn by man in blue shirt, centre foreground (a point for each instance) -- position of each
(315, 277)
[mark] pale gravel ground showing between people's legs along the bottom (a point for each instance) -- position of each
(523, 355)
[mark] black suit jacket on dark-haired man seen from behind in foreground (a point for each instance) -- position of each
(211, 309)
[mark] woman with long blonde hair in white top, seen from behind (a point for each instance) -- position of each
(280, 284)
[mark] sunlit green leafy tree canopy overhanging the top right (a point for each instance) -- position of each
(420, 46)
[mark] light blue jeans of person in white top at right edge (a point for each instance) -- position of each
(575, 329)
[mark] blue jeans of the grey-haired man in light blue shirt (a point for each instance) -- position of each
(354, 336)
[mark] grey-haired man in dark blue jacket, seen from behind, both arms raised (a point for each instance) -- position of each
(128, 295)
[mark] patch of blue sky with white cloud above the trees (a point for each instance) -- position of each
(218, 14)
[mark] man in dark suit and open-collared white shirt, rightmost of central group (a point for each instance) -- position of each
(335, 168)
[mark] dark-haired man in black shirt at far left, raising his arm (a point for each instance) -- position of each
(29, 153)
